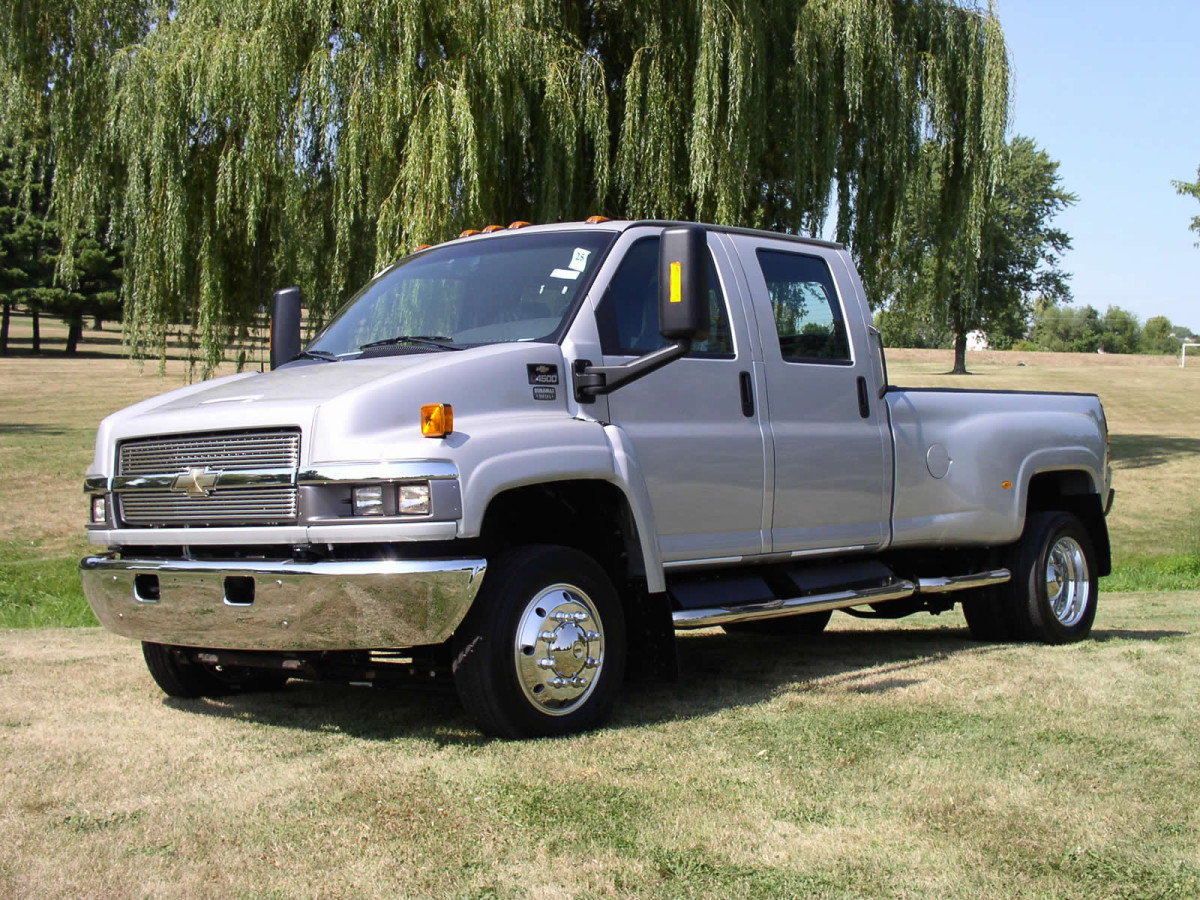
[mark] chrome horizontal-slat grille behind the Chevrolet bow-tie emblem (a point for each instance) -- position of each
(224, 453)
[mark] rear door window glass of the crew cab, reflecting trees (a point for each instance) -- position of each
(808, 317)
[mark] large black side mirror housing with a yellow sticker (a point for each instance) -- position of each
(683, 284)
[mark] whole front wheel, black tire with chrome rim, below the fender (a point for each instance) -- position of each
(513, 679)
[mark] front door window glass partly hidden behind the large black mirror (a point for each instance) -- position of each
(628, 315)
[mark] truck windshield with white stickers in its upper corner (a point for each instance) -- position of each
(508, 289)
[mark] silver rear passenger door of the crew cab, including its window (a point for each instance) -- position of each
(829, 433)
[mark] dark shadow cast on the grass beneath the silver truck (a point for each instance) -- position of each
(717, 673)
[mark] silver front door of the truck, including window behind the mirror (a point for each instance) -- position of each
(700, 448)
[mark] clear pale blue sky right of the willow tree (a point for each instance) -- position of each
(1113, 92)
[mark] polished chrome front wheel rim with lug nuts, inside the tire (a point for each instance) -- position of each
(560, 650)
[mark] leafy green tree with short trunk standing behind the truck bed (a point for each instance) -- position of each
(992, 289)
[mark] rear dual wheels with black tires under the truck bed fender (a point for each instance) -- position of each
(1054, 591)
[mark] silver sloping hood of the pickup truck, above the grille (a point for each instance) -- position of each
(368, 410)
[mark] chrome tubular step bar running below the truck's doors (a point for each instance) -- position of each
(897, 590)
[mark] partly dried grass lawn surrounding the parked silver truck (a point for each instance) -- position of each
(895, 759)
